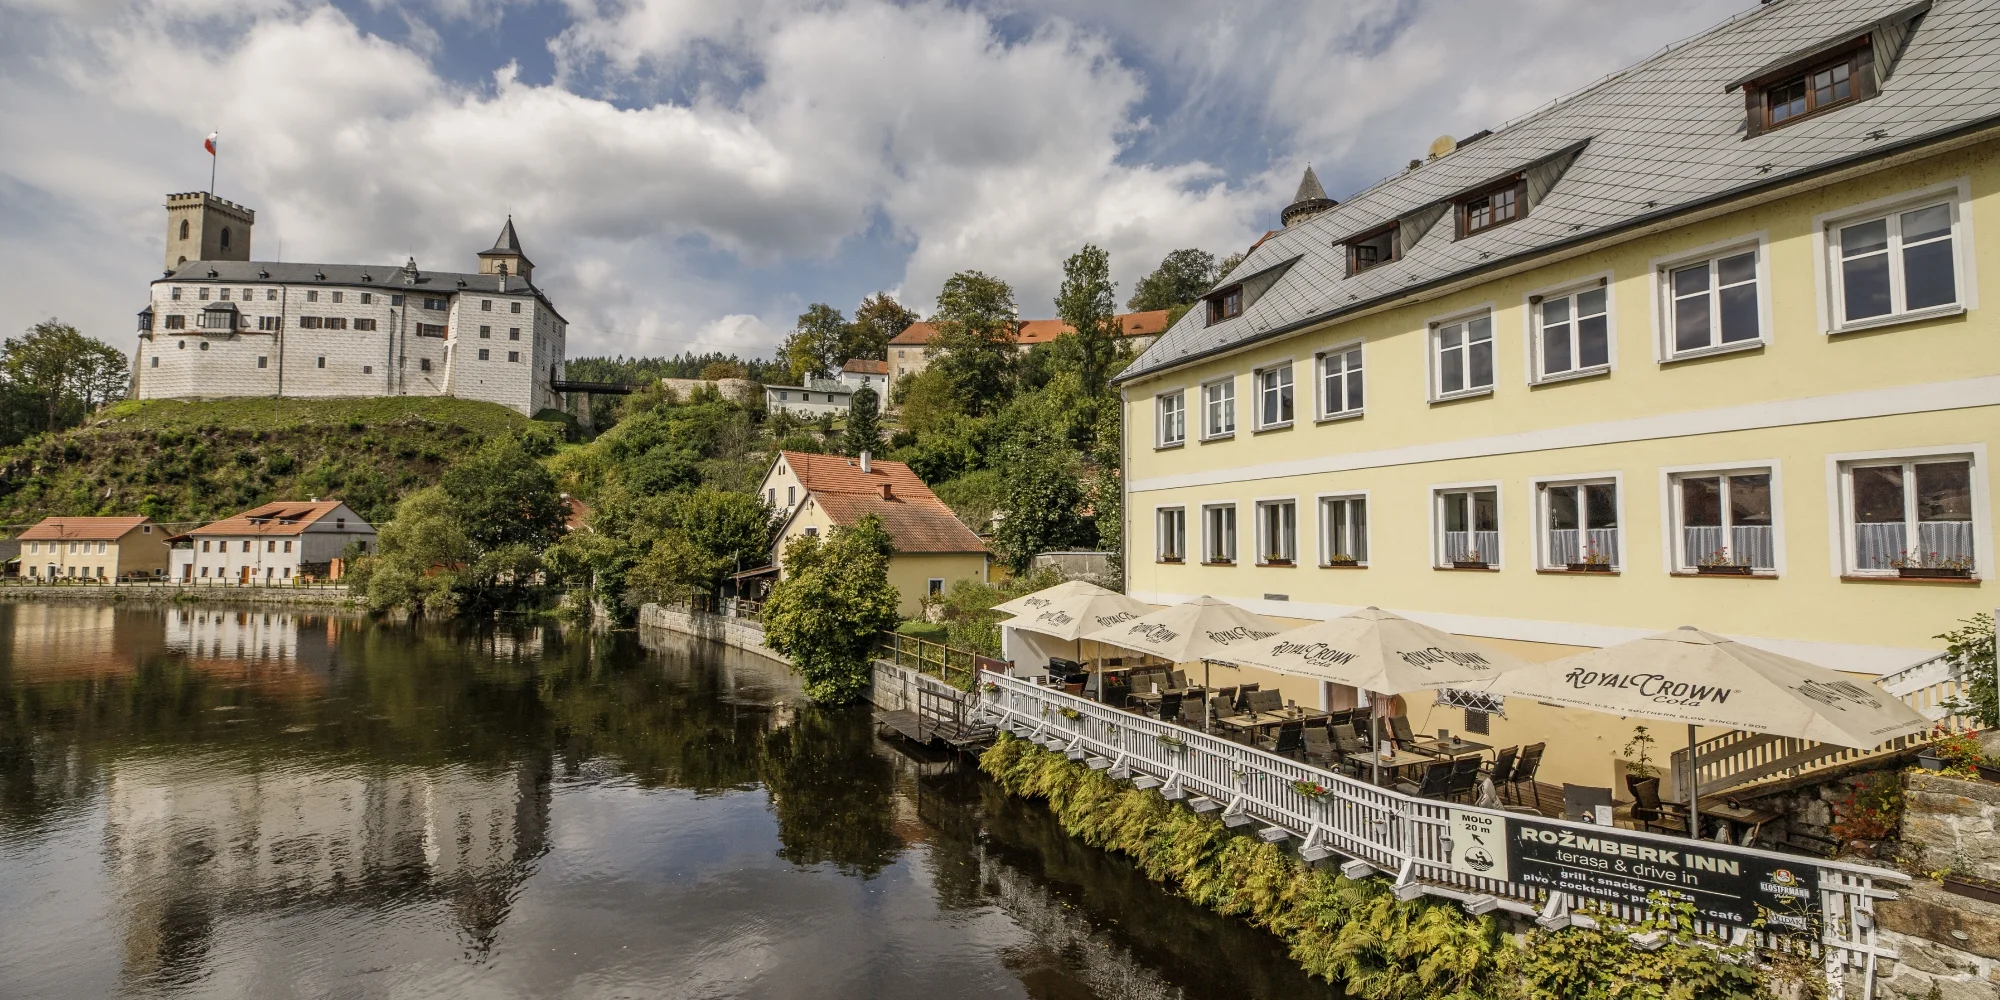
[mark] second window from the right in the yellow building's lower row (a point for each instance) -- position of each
(1725, 521)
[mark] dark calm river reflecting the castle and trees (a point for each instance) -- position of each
(269, 805)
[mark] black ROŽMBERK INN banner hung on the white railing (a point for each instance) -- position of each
(1725, 885)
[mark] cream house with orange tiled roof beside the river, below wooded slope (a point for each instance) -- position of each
(815, 493)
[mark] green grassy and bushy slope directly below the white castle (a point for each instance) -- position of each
(201, 461)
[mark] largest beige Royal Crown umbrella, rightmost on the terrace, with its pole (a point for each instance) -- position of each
(1703, 679)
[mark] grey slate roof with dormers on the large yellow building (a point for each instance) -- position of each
(1661, 137)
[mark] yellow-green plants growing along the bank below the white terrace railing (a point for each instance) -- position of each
(1357, 933)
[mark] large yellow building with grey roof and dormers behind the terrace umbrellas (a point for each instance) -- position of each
(1699, 345)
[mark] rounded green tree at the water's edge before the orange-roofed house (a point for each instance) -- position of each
(827, 611)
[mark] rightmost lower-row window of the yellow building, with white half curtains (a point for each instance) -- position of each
(1909, 517)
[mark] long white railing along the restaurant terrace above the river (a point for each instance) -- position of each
(1383, 829)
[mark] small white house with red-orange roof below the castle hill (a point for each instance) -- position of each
(273, 545)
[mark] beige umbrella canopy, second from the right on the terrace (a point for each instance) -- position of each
(1383, 653)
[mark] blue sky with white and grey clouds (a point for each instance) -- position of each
(691, 175)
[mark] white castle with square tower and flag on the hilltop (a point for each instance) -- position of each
(223, 325)
